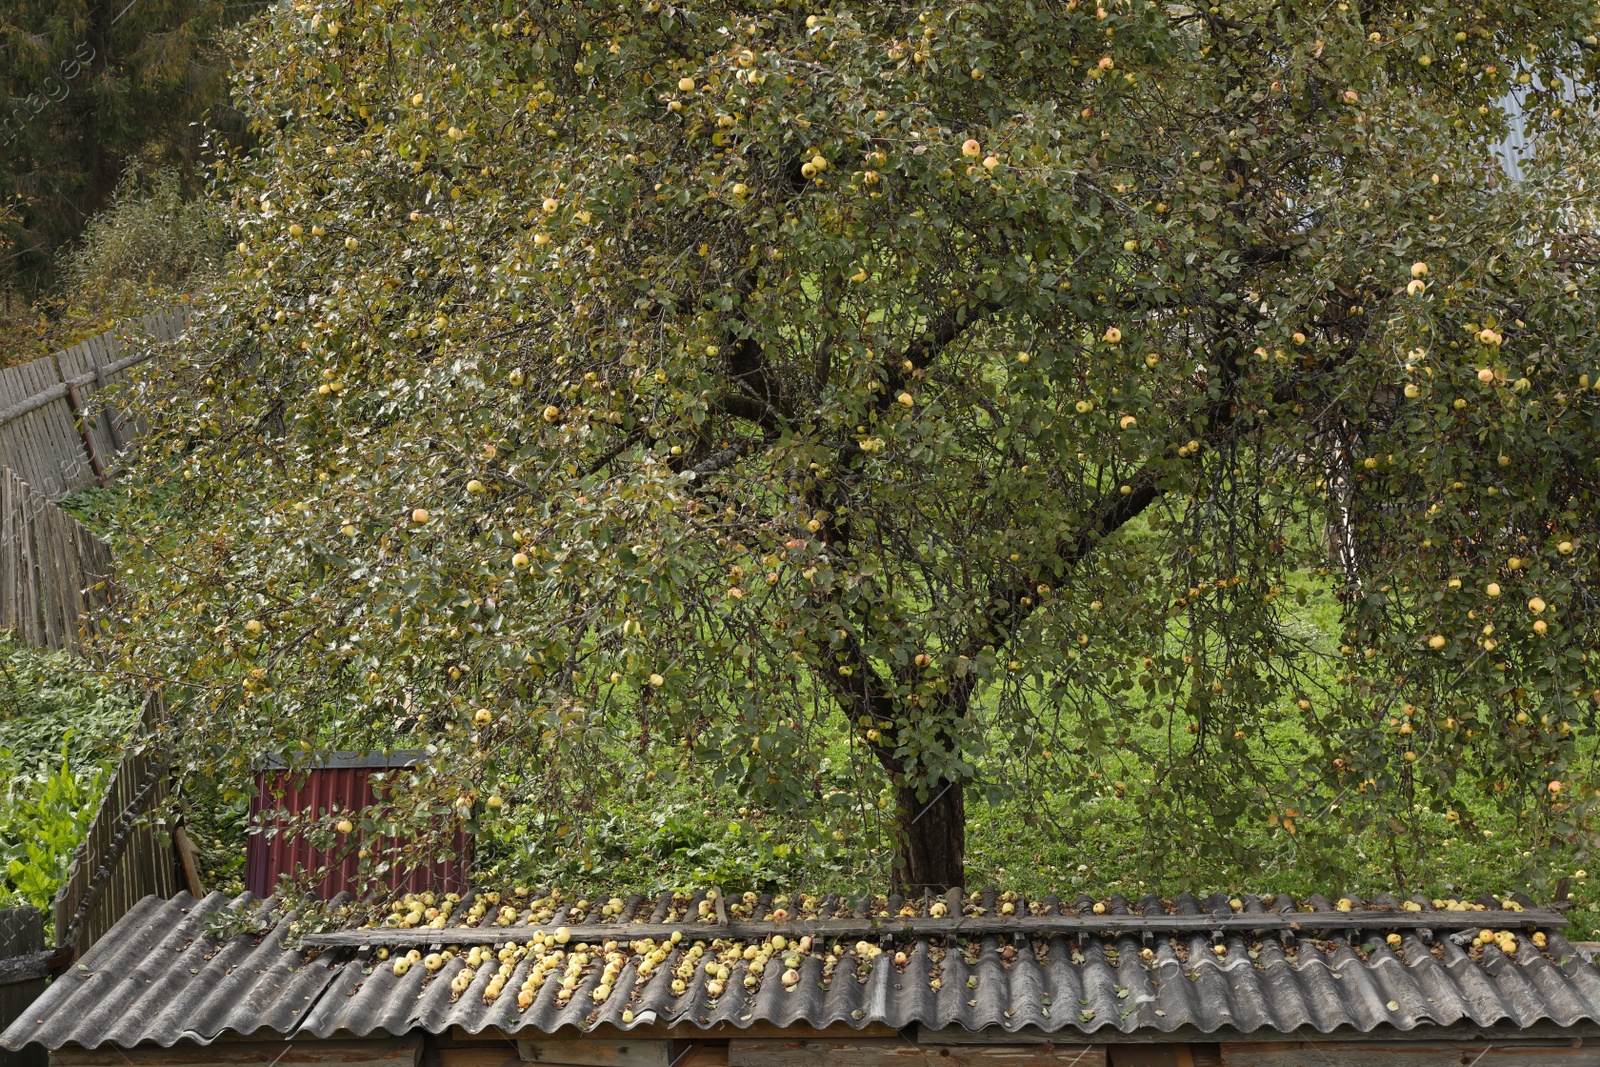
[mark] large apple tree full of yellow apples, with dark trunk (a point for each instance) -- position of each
(974, 383)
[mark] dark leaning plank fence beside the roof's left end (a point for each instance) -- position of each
(126, 855)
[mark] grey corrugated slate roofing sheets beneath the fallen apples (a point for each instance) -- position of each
(159, 980)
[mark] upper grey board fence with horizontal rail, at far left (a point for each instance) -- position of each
(52, 431)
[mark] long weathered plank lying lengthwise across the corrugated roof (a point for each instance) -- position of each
(969, 927)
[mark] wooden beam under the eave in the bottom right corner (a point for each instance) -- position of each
(1410, 1055)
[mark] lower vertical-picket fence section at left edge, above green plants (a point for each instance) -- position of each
(54, 570)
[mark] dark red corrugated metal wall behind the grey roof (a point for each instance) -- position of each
(335, 789)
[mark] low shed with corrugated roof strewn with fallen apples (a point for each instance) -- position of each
(698, 980)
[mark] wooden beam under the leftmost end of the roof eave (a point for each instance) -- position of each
(402, 1052)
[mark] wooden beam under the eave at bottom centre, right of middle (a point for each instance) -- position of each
(902, 1053)
